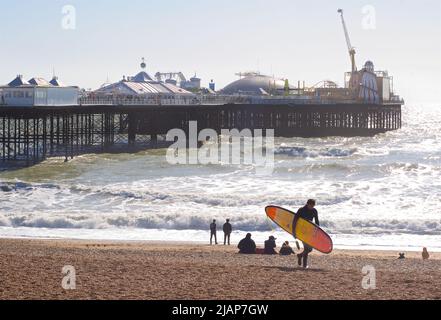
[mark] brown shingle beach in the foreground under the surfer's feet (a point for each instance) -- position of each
(32, 269)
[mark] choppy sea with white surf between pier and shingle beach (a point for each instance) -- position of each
(381, 192)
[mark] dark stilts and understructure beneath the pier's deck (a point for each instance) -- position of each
(31, 134)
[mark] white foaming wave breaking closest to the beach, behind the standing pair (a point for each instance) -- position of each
(243, 222)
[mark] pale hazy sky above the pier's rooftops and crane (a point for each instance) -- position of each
(298, 40)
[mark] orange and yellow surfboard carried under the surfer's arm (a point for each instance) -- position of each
(301, 229)
